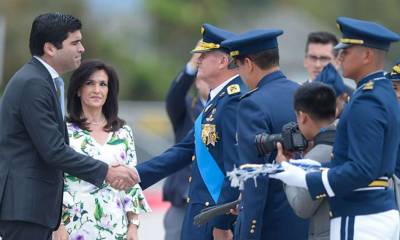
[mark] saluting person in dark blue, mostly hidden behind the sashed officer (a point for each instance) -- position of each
(182, 110)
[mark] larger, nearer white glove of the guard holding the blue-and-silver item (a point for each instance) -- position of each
(292, 175)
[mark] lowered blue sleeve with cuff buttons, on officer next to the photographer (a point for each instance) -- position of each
(251, 121)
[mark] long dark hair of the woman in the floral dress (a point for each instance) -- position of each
(110, 107)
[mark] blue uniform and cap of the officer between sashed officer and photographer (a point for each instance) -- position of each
(265, 212)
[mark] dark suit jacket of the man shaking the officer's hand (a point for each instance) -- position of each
(34, 150)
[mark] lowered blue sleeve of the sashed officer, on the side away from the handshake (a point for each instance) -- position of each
(230, 159)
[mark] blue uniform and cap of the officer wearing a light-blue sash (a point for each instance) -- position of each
(212, 144)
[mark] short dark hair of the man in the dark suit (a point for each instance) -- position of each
(53, 28)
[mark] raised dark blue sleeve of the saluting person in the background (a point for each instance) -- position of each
(176, 98)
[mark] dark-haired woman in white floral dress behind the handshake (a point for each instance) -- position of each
(96, 130)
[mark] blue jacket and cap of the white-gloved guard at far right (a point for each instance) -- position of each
(367, 139)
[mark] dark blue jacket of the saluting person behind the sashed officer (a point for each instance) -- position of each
(182, 111)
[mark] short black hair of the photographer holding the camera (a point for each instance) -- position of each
(317, 100)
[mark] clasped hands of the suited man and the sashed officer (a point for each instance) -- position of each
(122, 177)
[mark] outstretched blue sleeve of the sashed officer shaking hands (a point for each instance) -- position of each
(172, 160)
